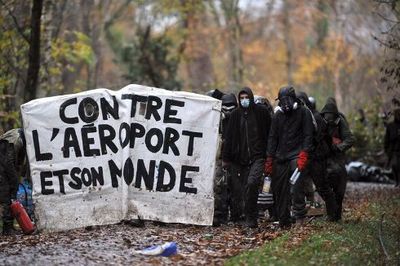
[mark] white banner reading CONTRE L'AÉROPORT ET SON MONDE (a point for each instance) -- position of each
(102, 156)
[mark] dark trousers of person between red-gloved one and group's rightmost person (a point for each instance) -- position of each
(319, 175)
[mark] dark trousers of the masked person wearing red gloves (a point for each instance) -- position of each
(281, 190)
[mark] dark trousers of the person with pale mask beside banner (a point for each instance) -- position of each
(244, 184)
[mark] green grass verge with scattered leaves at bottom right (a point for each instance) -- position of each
(354, 242)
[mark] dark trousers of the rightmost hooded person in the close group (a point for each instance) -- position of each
(337, 177)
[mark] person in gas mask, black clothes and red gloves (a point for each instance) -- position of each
(289, 144)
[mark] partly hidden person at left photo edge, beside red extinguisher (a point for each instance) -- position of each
(8, 186)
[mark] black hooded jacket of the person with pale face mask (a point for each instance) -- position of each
(247, 133)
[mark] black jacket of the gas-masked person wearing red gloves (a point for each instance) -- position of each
(290, 133)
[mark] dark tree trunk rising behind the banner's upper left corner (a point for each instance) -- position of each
(34, 52)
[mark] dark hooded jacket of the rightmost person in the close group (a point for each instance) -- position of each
(341, 131)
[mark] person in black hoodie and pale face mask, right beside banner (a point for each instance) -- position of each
(244, 154)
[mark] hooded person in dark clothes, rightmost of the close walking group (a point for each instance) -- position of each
(341, 140)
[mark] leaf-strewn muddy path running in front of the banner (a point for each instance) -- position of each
(116, 244)
